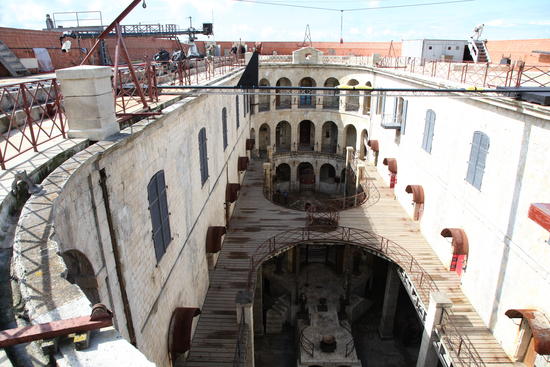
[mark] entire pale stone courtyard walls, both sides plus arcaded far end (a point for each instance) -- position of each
(494, 218)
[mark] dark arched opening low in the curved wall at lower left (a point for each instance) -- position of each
(81, 273)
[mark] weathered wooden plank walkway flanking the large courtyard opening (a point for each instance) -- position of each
(255, 220)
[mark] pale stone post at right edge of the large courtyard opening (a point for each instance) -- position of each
(427, 356)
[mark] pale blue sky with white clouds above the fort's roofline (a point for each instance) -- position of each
(254, 20)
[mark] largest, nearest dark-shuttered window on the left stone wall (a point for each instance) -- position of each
(158, 208)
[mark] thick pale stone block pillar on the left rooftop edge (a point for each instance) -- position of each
(88, 101)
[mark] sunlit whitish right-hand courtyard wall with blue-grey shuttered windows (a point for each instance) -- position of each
(494, 218)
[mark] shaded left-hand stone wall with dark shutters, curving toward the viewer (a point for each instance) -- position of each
(96, 205)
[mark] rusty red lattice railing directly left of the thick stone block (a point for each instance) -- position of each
(31, 114)
